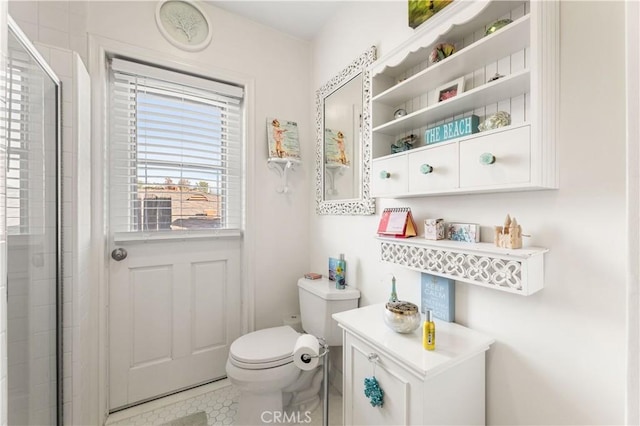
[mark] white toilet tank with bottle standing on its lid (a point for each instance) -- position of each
(319, 299)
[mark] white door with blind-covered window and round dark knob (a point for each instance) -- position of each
(175, 205)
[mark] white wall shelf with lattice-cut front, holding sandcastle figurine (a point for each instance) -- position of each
(516, 271)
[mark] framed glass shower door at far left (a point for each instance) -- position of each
(32, 192)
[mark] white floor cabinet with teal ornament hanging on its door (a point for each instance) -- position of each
(445, 386)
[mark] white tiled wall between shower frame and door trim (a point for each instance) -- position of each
(63, 24)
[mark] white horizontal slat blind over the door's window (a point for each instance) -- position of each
(175, 151)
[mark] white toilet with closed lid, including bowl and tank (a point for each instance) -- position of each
(260, 364)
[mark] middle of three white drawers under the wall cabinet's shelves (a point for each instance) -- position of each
(433, 169)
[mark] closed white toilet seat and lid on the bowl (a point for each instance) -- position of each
(262, 349)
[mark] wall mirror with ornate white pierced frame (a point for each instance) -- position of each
(343, 148)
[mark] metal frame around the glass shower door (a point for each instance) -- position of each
(31, 49)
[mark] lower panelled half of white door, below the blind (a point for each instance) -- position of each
(174, 310)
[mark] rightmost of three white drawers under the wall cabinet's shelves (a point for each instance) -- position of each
(510, 151)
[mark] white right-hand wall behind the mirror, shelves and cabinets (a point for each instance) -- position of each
(559, 356)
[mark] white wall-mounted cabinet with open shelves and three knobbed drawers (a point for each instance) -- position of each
(524, 53)
